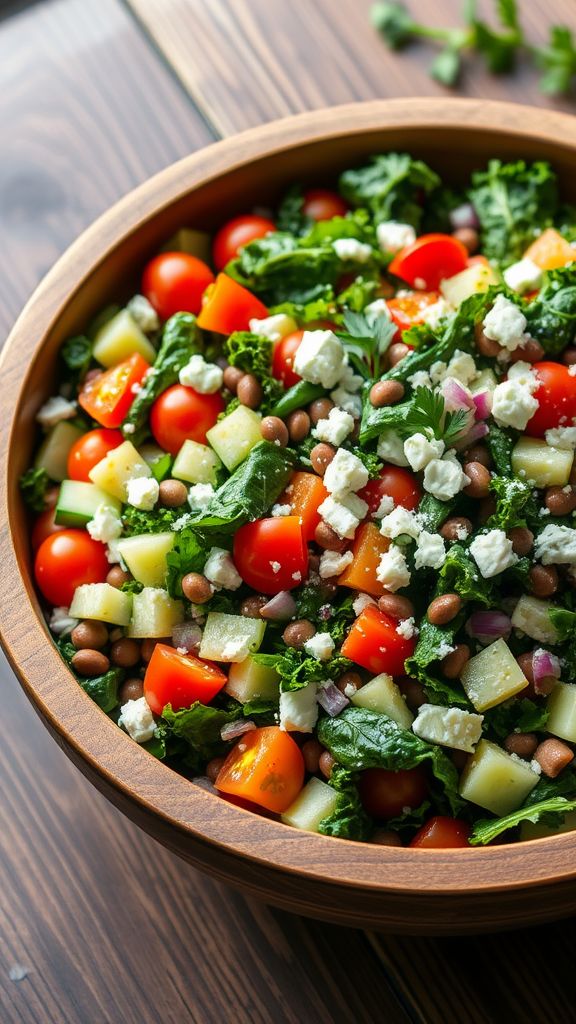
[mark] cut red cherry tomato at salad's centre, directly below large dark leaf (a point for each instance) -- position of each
(271, 554)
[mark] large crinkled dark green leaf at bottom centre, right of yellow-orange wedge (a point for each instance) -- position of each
(359, 739)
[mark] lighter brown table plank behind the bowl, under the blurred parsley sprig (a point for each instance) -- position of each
(251, 61)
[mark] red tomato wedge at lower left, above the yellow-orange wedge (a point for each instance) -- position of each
(180, 680)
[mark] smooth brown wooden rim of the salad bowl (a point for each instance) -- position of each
(71, 715)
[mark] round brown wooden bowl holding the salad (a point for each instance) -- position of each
(403, 890)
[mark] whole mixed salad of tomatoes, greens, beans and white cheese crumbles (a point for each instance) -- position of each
(305, 507)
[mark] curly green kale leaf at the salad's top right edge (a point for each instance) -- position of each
(513, 200)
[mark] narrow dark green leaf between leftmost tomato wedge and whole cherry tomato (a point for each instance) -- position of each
(181, 339)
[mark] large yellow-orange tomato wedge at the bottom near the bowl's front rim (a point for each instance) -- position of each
(265, 767)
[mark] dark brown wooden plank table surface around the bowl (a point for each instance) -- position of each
(99, 925)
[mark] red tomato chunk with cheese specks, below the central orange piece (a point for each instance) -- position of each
(375, 644)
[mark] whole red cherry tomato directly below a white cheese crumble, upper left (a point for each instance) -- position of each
(181, 414)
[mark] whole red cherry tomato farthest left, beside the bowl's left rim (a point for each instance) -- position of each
(65, 562)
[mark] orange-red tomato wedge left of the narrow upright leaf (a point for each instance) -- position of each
(109, 397)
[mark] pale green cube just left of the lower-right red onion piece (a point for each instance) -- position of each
(492, 676)
